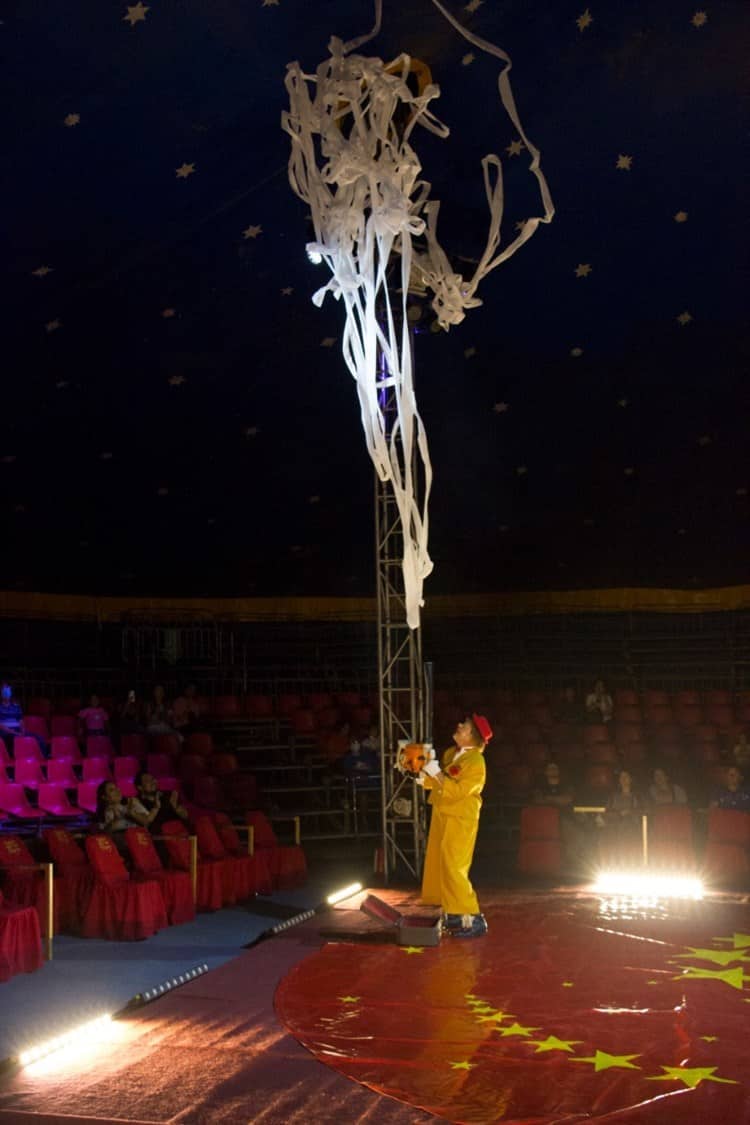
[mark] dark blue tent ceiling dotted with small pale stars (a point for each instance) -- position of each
(175, 418)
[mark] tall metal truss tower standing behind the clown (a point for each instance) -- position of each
(402, 681)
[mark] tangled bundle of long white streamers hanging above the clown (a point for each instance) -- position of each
(360, 177)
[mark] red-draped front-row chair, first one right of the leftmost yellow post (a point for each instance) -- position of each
(122, 910)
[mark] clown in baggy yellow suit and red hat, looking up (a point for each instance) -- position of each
(456, 800)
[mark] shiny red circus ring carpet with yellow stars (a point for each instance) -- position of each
(573, 1009)
